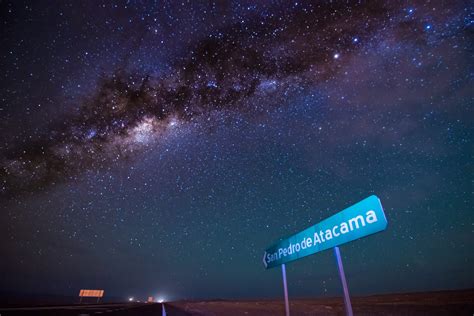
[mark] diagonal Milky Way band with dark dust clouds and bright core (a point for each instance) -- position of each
(241, 68)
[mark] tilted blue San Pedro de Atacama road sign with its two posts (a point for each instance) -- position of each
(359, 220)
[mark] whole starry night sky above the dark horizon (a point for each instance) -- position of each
(158, 148)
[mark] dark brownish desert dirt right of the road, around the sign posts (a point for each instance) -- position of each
(433, 303)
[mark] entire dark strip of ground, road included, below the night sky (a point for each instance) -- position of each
(432, 303)
